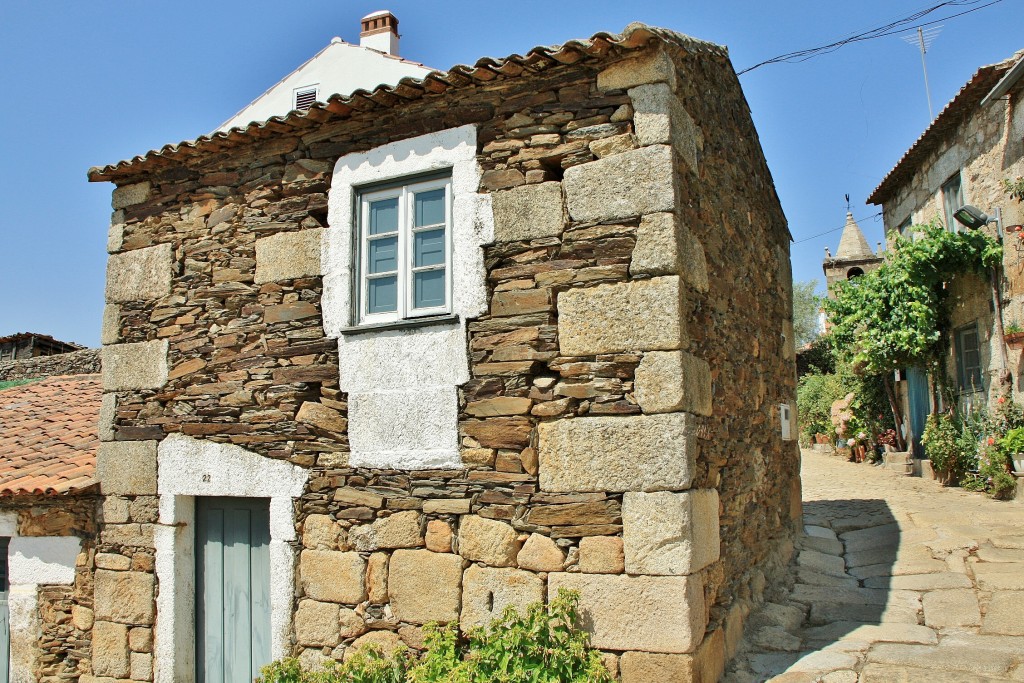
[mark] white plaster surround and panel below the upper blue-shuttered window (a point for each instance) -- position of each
(403, 410)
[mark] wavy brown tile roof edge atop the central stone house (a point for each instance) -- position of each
(487, 70)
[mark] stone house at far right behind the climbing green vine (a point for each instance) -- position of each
(963, 158)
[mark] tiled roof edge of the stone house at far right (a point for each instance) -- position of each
(952, 116)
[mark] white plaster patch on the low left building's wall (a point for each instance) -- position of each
(32, 562)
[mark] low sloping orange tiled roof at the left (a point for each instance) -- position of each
(49, 436)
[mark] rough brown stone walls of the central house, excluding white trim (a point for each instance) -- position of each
(621, 431)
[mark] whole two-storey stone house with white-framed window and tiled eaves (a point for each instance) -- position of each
(420, 354)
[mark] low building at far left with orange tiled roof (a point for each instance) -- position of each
(49, 444)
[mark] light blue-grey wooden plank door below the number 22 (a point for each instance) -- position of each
(233, 589)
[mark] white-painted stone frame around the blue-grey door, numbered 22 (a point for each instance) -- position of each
(185, 464)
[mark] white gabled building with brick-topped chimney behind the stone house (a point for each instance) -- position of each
(338, 69)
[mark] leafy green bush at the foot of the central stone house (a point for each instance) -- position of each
(543, 647)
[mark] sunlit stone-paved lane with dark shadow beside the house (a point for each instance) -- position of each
(898, 580)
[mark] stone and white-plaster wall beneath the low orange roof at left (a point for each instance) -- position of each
(51, 561)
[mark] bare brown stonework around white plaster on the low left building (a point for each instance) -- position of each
(62, 648)
